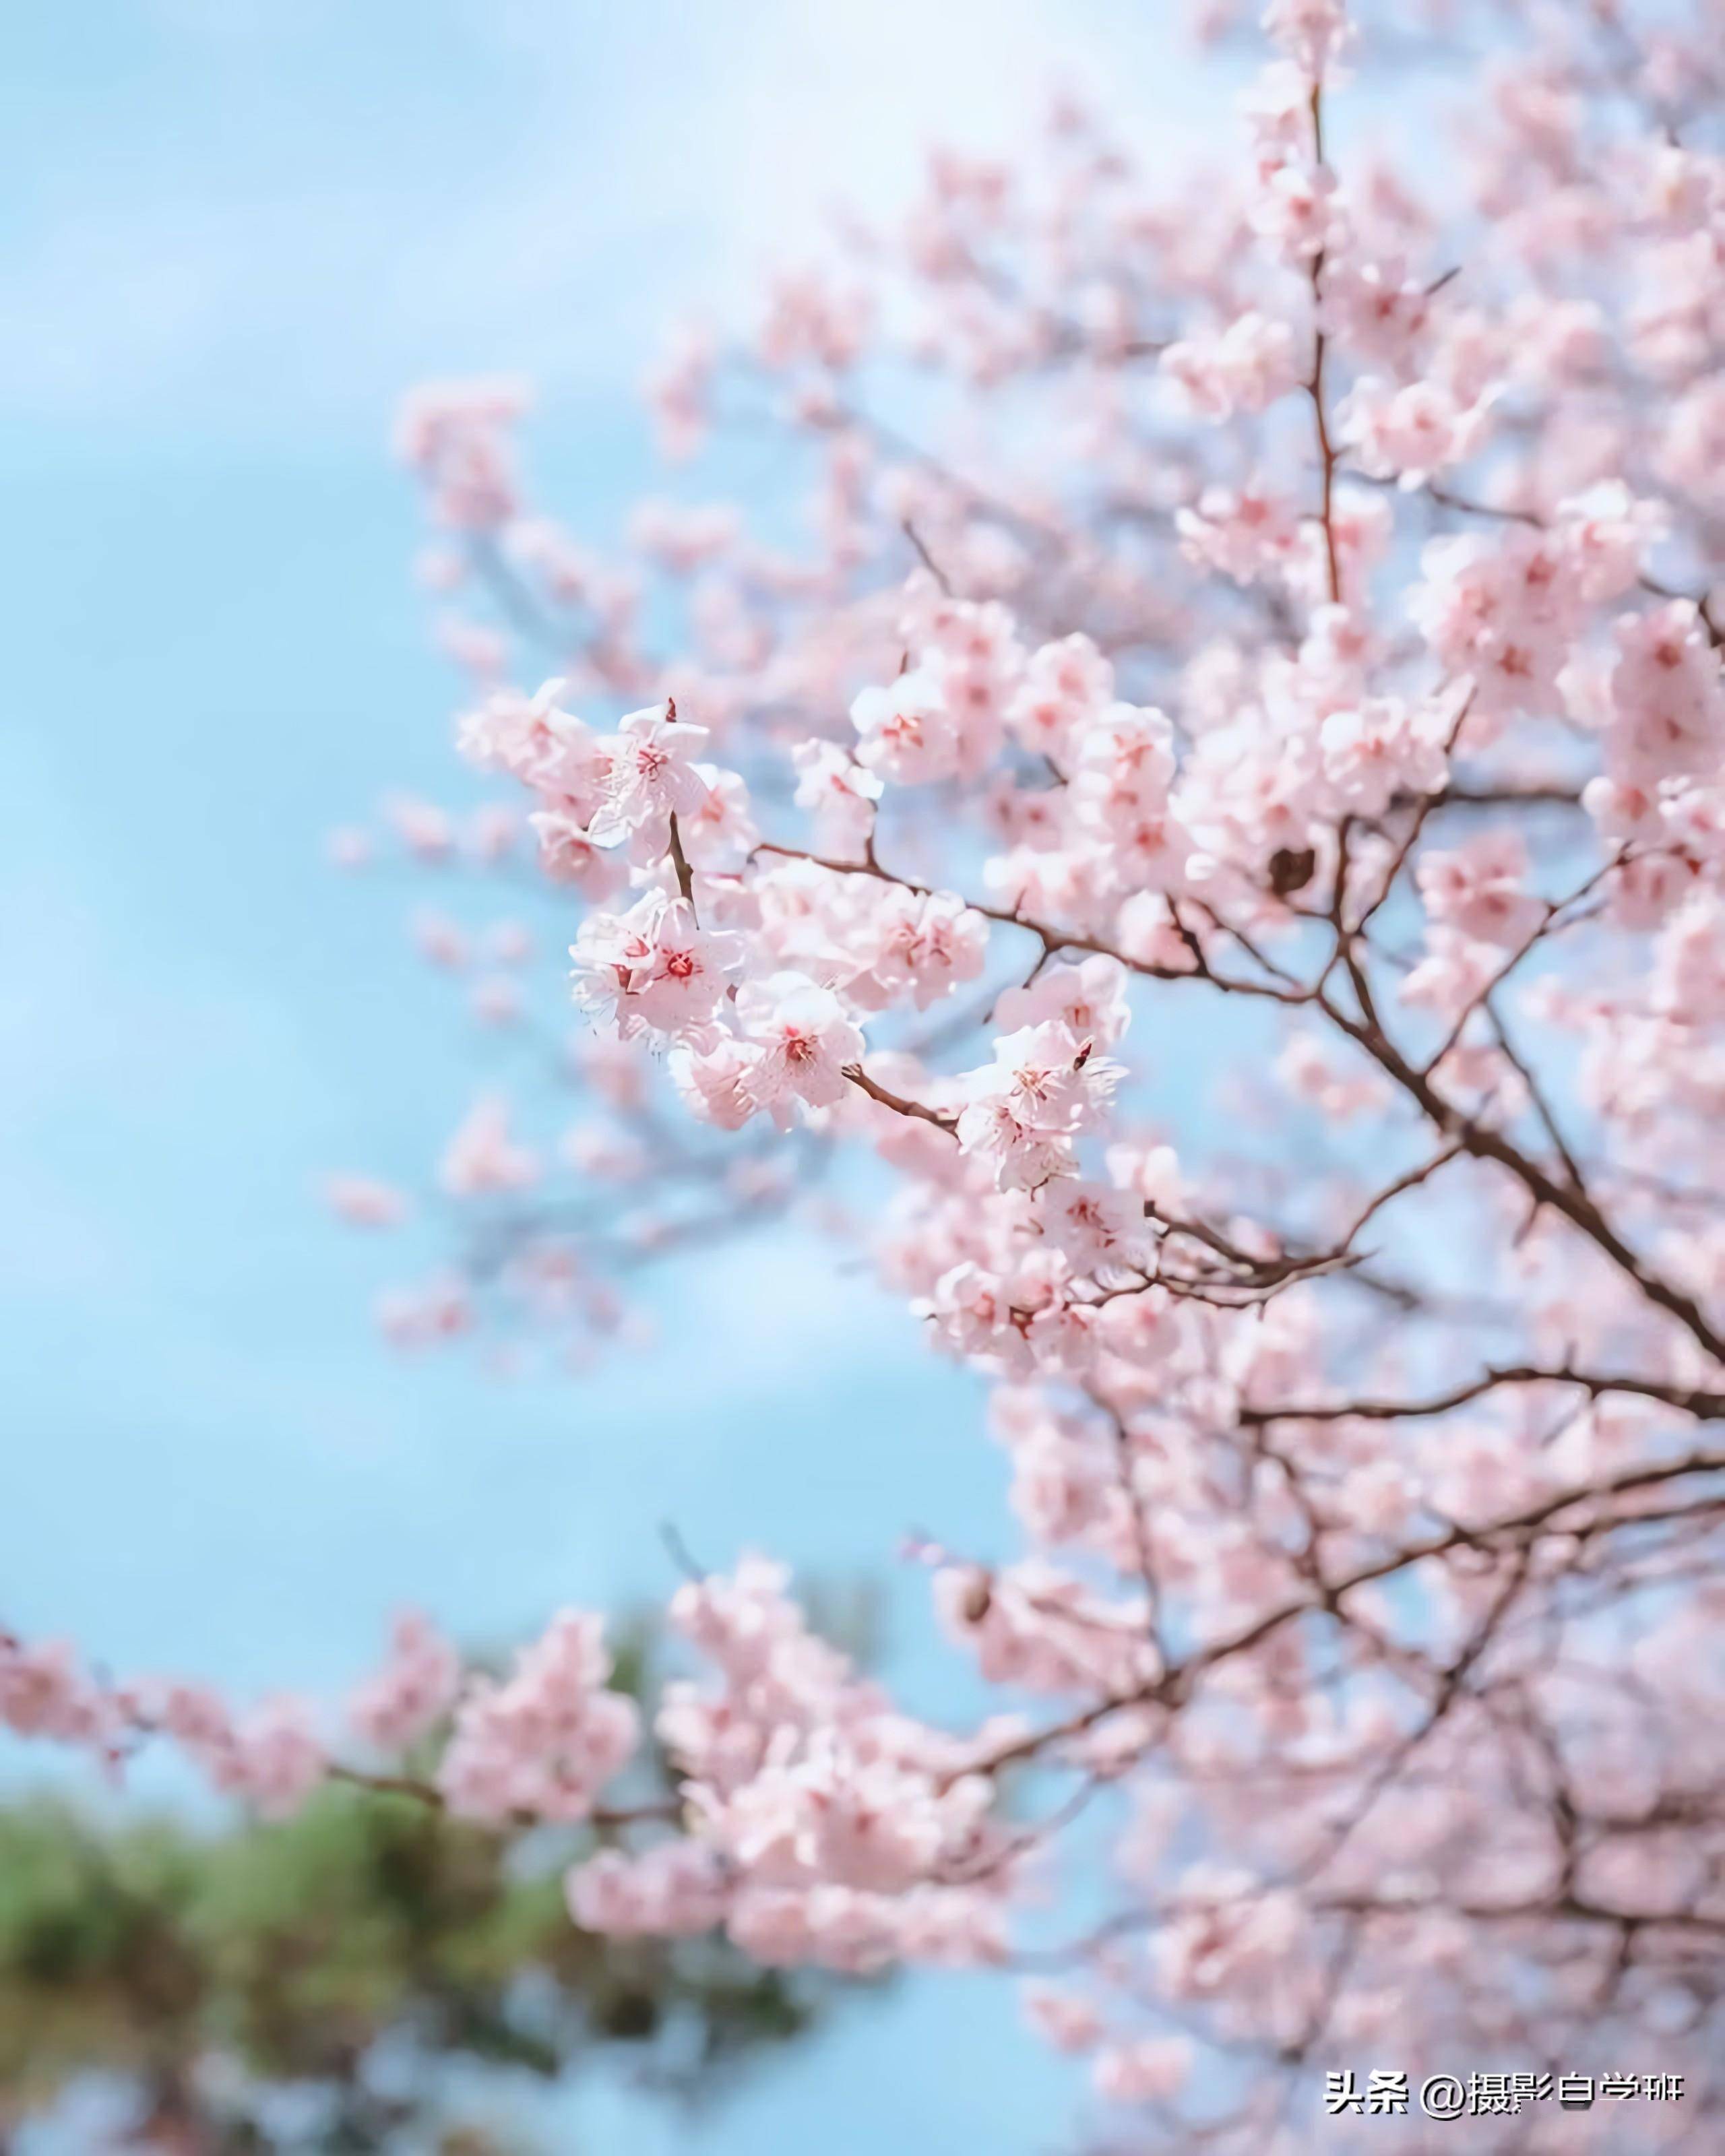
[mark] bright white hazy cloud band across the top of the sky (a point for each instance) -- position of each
(544, 182)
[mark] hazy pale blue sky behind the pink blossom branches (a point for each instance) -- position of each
(232, 232)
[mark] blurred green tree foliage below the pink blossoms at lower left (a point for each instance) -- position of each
(294, 1950)
